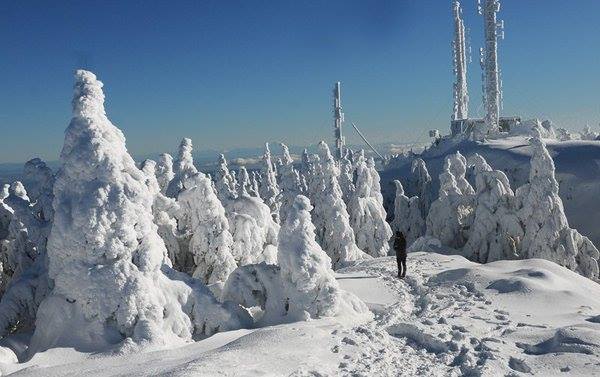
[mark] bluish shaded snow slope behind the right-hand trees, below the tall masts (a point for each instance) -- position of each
(577, 171)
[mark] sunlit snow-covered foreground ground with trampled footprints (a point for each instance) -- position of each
(449, 316)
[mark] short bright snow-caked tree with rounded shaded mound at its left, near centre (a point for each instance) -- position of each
(302, 286)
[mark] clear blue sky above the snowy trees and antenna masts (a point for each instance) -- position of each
(237, 73)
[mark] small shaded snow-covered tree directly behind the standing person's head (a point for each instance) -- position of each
(407, 215)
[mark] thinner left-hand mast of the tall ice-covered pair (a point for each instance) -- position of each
(461, 95)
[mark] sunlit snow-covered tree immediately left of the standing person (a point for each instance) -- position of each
(367, 215)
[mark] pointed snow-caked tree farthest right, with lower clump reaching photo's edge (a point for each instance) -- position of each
(547, 233)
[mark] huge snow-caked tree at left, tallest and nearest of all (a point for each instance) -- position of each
(110, 276)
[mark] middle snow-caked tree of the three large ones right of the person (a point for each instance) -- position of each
(495, 231)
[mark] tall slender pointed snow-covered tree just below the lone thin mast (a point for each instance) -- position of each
(330, 215)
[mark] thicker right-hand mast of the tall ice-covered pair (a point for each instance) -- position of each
(492, 95)
